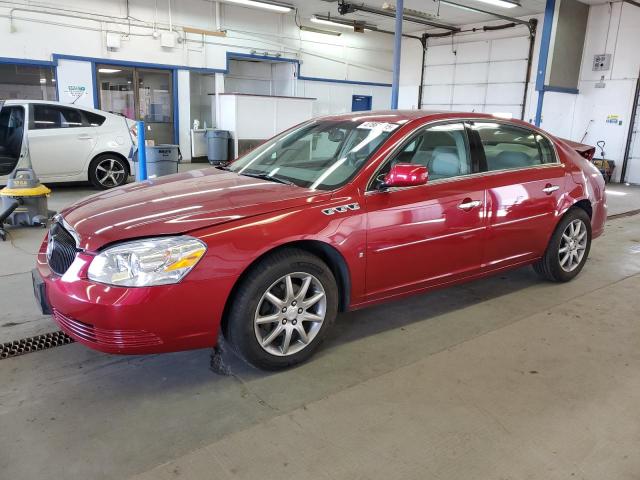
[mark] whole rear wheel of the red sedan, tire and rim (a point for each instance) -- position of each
(568, 248)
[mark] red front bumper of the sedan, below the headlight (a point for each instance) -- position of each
(125, 320)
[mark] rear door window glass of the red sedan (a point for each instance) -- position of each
(509, 147)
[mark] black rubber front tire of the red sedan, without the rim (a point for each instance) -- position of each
(242, 332)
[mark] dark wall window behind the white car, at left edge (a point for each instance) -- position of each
(27, 82)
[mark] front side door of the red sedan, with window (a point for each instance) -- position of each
(429, 234)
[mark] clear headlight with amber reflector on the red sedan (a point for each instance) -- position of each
(142, 263)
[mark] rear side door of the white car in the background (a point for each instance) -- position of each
(60, 140)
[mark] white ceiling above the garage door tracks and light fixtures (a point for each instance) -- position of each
(446, 14)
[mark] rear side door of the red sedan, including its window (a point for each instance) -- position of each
(524, 183)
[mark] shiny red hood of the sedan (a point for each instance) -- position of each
(178, 204)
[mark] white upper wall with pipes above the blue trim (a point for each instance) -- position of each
(28, 32)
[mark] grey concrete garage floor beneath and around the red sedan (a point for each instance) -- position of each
(504, 378)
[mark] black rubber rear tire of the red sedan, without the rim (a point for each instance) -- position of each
(549, 266)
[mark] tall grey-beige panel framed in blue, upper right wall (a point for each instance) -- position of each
(567, 41)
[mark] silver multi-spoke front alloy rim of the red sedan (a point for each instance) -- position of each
(290, 314)
